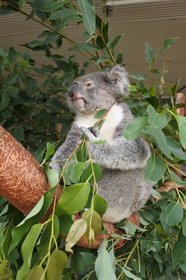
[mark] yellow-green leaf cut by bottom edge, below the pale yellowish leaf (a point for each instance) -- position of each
(57, 263)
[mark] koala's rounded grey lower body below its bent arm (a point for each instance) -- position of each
(125, 191)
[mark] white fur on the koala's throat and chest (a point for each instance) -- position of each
(108, 129)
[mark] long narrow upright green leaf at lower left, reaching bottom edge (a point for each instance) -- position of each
(27, 250)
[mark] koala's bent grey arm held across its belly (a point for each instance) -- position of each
(121, 154)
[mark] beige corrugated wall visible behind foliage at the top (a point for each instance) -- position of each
(148, 22)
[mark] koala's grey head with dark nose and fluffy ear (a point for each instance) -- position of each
(98, 90)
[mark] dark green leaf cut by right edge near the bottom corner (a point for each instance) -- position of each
(178, 250)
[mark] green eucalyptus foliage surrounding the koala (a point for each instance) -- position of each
(31, 107)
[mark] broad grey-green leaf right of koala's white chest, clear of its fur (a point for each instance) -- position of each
(157, 120)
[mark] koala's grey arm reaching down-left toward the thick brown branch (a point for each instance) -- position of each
(66, 149)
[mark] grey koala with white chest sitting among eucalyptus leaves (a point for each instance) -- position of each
(122, 184)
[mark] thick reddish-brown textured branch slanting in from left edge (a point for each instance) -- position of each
(22, 180)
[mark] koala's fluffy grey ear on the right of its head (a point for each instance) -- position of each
(118, 77)
